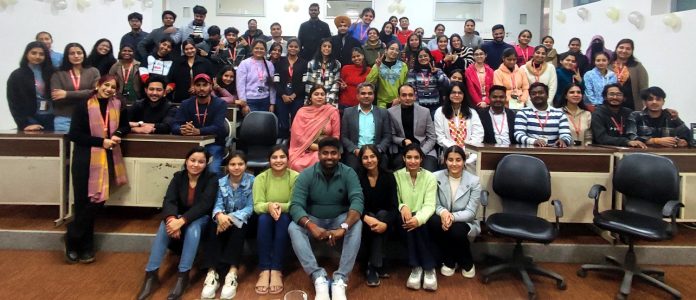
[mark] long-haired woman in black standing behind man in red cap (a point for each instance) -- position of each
(184, 70)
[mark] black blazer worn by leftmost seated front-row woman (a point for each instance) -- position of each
(177, 193)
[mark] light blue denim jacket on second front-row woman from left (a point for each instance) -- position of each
(237, 203)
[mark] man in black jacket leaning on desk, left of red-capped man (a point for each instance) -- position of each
(155, 113)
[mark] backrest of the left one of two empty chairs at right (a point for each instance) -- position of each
(522, 182)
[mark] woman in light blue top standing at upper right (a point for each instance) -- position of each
(596, 79)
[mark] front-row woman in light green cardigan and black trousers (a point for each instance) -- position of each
(417, 192)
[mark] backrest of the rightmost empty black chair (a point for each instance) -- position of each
(647, 181)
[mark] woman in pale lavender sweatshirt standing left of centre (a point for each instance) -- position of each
(254, 80)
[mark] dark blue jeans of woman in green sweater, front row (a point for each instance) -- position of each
(272, 238)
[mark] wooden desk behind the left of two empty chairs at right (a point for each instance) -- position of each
(573, 172)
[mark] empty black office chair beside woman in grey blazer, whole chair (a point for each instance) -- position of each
(522, 182)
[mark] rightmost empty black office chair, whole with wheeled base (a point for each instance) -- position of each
(647, 182)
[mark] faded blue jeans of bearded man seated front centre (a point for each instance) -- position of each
(299, 237)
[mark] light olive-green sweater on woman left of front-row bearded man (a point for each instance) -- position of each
(268, 188)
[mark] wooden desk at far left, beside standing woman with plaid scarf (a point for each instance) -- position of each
(34, 169)
